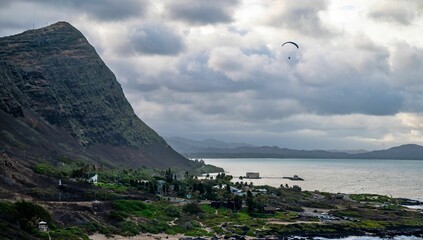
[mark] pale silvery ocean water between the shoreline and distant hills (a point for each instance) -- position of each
(396, 178)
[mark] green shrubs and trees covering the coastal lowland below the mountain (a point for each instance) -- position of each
(178, 202)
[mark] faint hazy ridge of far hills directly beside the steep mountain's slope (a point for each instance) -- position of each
(184, 145)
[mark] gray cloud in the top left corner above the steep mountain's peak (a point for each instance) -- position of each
(19, 15)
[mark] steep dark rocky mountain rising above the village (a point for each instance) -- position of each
(58, 98)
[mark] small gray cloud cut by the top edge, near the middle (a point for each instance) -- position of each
(200, 12)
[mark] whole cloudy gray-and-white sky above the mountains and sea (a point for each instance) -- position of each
(216, 69)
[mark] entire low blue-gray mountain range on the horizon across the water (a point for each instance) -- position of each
(217, 149)
